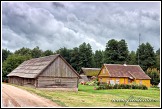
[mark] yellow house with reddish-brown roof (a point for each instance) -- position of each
(123, 74)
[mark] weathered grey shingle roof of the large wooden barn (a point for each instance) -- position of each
(33, 67)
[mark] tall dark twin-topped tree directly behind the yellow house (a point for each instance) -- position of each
(116, 52)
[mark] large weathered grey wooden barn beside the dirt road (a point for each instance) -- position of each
(45, 72)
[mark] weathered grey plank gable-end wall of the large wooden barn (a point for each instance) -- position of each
(58, 74)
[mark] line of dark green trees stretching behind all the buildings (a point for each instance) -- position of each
(116, 52)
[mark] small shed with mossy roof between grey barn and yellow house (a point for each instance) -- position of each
(88, 74)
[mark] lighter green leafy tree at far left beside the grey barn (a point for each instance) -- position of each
(11, 63)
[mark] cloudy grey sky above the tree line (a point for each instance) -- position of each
(53, 25)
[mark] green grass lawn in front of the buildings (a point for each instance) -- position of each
(88, 97)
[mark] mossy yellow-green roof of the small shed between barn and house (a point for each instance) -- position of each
(90, 71)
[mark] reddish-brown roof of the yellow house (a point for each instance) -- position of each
(133, 71)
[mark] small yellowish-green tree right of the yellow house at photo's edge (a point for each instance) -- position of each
(154, 74)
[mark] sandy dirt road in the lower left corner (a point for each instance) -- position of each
(16, 97)
